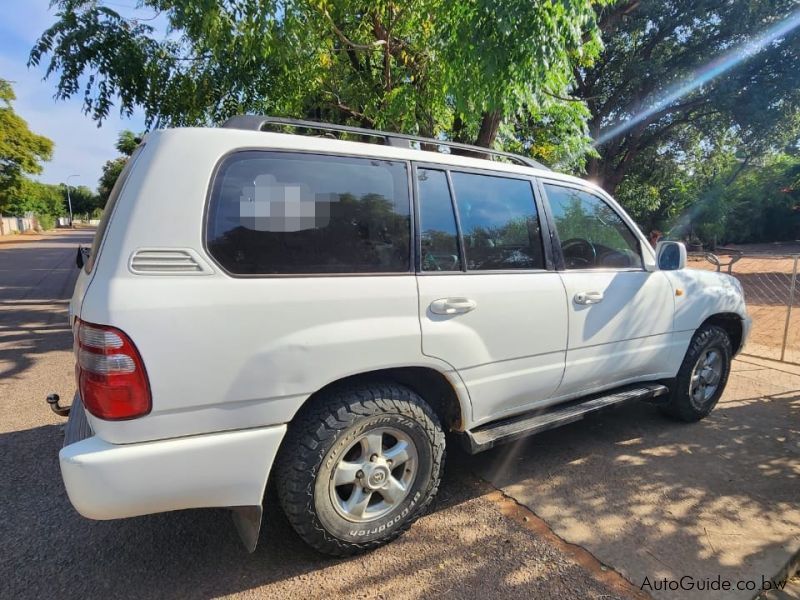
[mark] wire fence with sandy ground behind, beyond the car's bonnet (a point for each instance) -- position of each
(770, 285)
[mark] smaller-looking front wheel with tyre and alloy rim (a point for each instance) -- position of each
(702, 376)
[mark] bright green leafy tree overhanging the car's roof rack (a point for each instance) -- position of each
(482, 71)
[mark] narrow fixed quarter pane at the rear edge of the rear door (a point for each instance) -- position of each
(438, 234)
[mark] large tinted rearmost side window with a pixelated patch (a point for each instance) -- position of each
(276, 213)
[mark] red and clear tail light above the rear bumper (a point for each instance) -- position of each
(111, 377)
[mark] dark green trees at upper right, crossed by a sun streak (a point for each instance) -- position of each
(698, 167)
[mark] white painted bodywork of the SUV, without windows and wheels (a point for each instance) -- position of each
(231, 360)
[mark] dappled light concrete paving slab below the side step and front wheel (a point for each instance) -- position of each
(658, 498)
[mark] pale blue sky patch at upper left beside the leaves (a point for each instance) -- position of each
(80, 146)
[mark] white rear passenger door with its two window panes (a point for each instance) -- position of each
(490, 304)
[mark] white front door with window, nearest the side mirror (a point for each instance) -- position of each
(620, 315)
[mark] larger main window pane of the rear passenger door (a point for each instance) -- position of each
(499, 222)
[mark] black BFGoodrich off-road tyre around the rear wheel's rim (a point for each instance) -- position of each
(316, 442)
